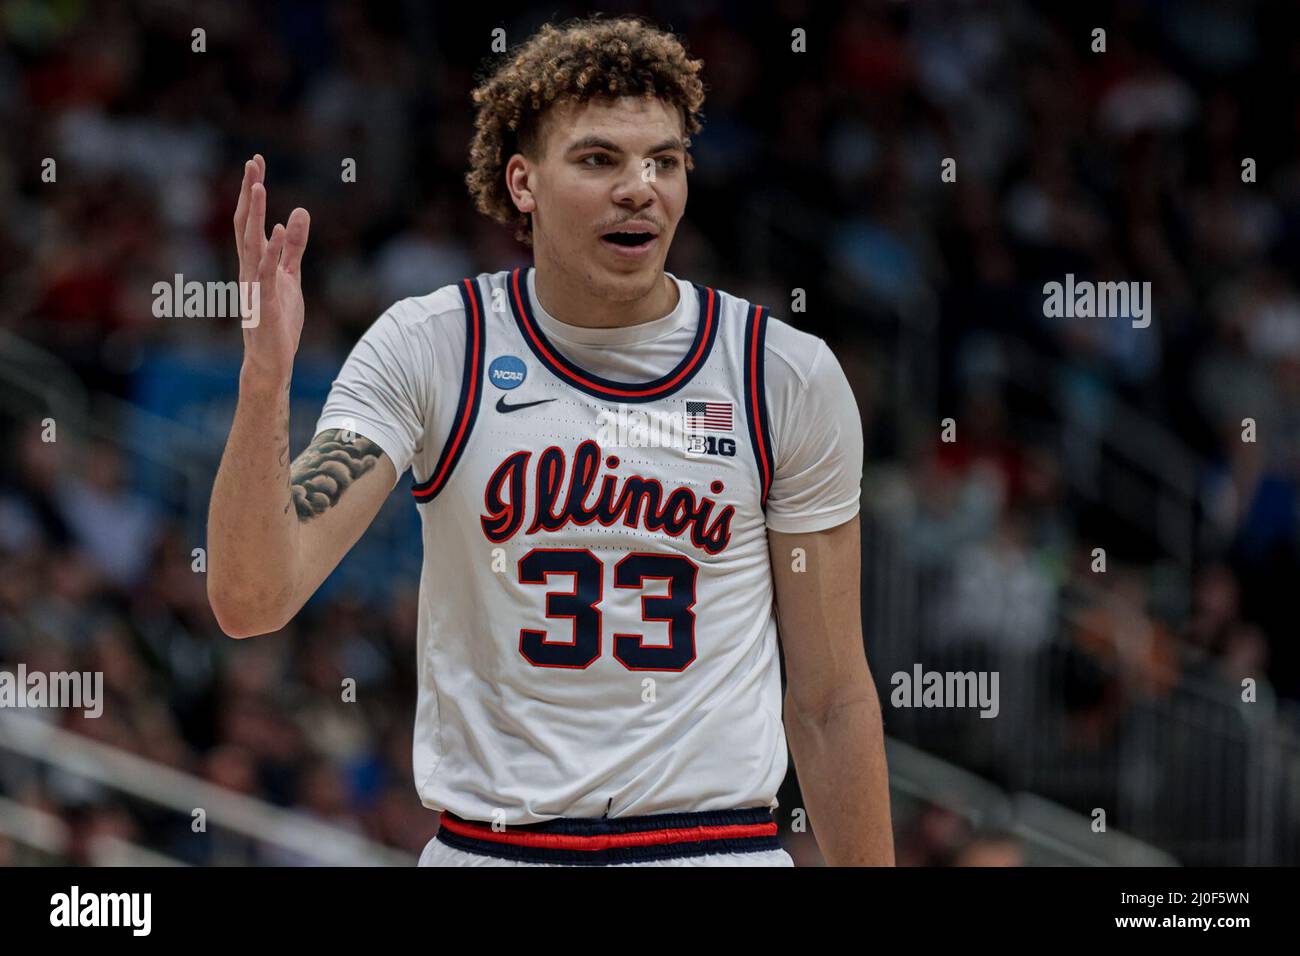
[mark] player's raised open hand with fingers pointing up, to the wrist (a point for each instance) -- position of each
(274, 318)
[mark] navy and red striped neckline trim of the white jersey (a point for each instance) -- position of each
(707, 331)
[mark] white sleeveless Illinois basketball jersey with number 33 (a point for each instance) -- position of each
(597, 633)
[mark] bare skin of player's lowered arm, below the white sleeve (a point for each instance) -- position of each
(833, 712)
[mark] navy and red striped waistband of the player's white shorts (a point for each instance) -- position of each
(608, 841)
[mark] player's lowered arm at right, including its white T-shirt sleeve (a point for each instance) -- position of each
(833, 712)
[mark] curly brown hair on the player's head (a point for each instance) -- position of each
(577, 62)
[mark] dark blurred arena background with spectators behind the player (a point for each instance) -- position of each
(1102, 508)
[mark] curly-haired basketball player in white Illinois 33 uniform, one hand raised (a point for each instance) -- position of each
(625, 478)
